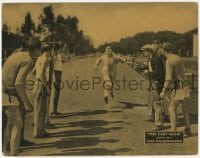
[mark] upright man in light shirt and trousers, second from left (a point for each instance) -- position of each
(42, 91)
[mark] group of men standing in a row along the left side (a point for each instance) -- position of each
(43, 60)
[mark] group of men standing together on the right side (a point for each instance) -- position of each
(168, 86)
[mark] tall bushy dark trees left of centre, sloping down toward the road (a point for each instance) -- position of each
(65, 30)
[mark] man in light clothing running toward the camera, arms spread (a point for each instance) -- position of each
(109, 69)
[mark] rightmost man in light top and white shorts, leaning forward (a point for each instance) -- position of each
(175, 83)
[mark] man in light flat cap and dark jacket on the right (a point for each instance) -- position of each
(155, 71)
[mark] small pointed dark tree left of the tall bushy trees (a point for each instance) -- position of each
(28, 27)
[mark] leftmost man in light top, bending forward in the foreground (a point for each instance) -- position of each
(15, 100)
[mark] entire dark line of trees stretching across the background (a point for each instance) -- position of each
(66, 30)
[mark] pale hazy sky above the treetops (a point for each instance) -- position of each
(108, 22)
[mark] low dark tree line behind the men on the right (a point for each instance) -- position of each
(183, 43)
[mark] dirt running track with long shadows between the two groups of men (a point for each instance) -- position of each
(89, 127)
